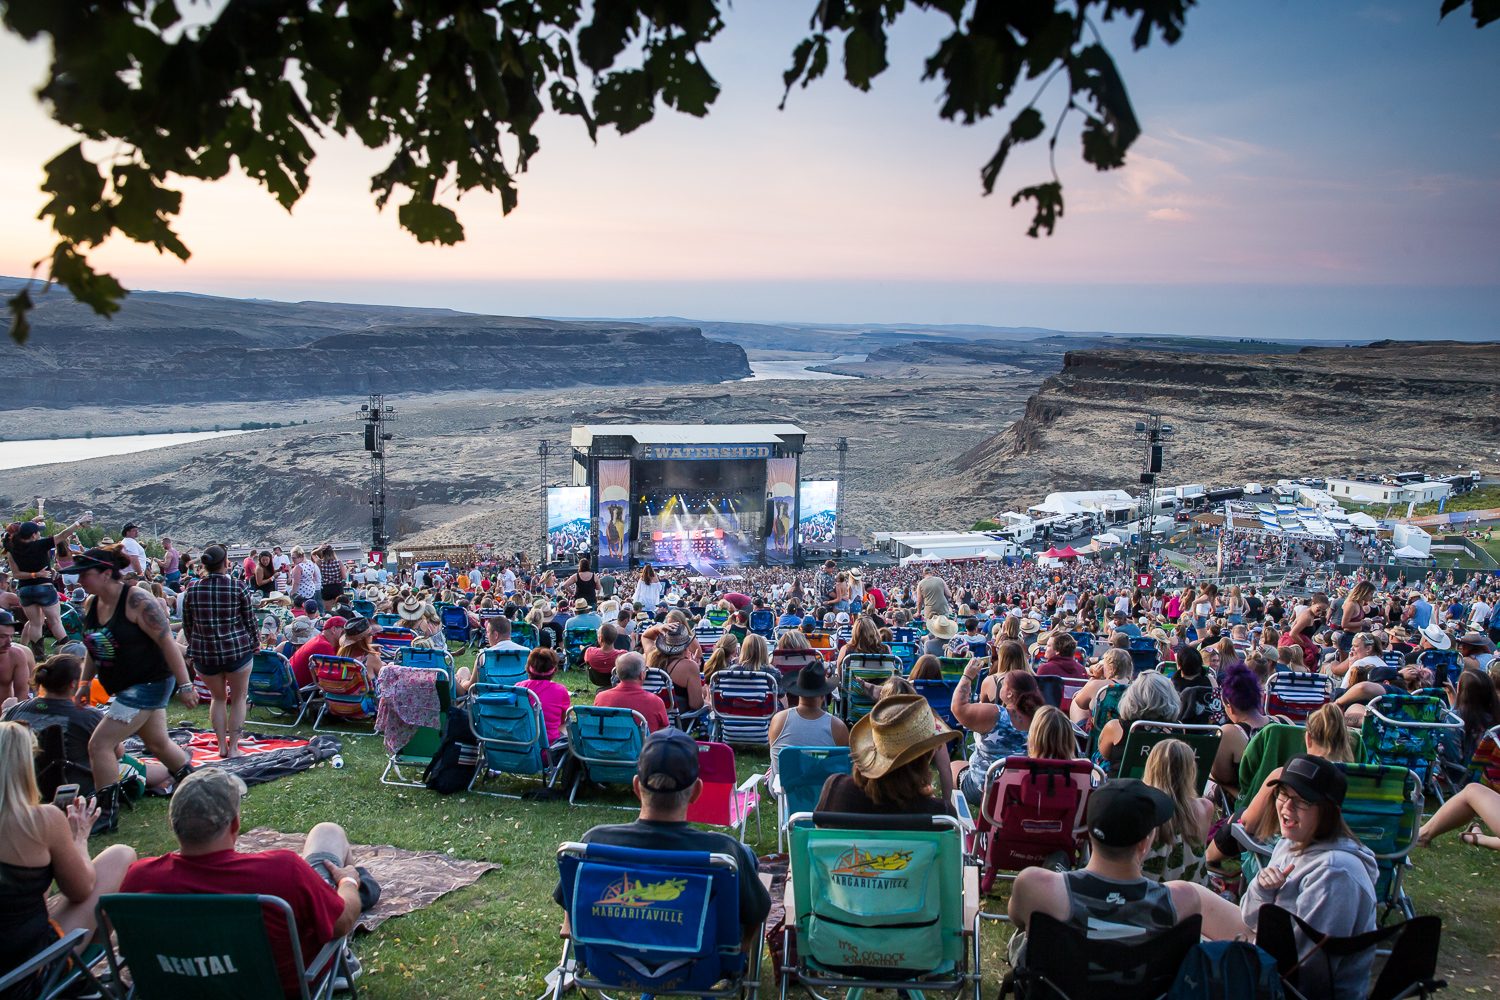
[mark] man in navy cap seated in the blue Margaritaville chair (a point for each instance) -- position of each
(667, 783)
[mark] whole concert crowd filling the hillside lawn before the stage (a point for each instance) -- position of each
(152, 630)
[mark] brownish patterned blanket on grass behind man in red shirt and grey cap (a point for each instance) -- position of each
(409, 879)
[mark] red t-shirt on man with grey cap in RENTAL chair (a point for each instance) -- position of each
(314, 903)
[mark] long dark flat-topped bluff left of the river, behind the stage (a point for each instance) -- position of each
(173, 349)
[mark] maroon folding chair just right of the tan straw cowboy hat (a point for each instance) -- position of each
(1033, 810)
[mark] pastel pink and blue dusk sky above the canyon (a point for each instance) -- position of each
(1309, 170)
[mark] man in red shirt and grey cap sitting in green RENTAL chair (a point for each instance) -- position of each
(322, 887)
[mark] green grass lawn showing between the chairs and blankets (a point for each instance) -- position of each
(497, 939)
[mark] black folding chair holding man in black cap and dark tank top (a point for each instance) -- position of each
(1112, 971)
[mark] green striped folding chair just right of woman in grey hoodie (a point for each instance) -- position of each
(1384, 810)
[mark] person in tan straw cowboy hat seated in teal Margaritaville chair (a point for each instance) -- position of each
(892, 756)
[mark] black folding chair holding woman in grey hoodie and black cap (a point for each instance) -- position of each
(1408, 972)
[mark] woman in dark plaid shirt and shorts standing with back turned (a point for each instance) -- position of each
(221, 644)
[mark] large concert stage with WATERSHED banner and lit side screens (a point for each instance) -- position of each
(700, 496)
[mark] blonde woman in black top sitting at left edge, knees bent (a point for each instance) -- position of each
(41, 845)
